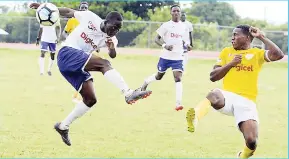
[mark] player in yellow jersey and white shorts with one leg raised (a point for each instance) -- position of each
(239, 67)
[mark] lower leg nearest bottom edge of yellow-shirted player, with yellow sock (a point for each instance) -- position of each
(249, 129)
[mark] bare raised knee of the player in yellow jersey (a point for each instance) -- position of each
(216, 98)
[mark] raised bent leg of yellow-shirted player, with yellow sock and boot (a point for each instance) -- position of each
(214, 99)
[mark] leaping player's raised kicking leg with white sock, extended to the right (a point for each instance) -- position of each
(96, 63)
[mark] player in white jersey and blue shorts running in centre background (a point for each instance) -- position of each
(170, 37)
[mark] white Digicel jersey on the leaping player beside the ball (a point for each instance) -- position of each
(87, 36)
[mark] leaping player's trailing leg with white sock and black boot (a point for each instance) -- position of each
(89, 99)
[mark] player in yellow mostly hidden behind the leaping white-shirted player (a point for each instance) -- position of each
(72, 23)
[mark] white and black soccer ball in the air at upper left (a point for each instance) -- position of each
(47, 14)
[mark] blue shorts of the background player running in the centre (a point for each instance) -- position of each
(164, 64)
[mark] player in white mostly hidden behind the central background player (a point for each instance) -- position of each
(188, 37)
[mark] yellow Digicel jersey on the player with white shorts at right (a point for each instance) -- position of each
(243, 78)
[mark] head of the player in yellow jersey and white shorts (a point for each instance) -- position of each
(241, 37)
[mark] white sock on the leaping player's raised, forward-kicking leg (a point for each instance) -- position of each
(115, 78)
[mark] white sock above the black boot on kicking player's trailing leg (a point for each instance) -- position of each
(79, 110)
